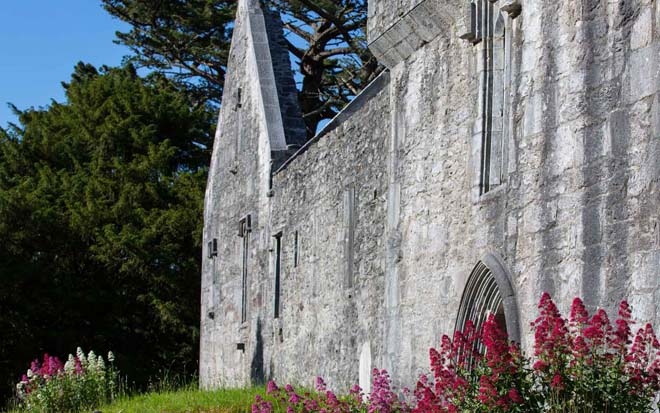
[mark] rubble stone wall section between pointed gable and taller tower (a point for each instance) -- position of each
(333, 196)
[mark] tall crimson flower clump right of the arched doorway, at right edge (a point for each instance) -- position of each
(575, 356)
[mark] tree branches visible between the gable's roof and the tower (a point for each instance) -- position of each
(328, 39)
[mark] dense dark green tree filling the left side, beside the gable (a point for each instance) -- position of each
(101, 202)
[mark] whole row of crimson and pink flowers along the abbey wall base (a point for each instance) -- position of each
(581, 364)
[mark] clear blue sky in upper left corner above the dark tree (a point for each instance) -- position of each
(40, 43)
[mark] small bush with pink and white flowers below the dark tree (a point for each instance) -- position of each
(82, 383)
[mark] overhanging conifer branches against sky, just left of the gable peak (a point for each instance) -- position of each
(186, 39)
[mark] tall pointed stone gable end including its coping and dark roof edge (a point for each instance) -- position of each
(259, 123)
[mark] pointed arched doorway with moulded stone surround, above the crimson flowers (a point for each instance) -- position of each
(489, 291)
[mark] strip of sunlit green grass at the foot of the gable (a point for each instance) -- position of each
(187, 401)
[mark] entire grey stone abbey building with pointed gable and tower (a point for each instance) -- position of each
(512, 147)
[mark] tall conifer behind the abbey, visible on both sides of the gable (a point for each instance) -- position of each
(189, 42)
